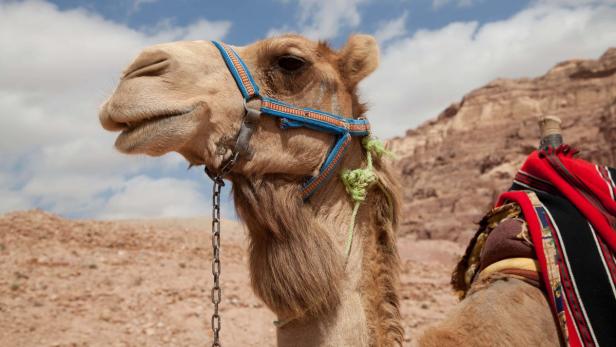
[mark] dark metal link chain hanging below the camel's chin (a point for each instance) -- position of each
(216, 269)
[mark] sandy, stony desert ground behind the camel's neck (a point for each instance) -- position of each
(147, 283)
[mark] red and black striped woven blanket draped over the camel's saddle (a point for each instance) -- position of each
(569, 206)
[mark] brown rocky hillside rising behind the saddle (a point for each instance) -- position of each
(454, 167)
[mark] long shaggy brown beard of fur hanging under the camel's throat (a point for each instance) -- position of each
(295, 267)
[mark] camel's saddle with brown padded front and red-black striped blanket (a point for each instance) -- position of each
(556, 229)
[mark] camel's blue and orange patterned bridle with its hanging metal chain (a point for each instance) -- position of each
(289, 116)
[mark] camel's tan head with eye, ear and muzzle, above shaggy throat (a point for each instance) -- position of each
(181, 97)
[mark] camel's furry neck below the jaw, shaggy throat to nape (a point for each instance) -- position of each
(297, 262)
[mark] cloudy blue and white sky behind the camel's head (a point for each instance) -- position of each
(61, 59)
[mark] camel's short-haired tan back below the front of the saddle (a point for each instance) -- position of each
(486, 318)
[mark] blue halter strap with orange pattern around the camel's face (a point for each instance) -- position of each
(292, 116)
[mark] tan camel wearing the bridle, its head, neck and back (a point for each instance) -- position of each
(181, 97)
